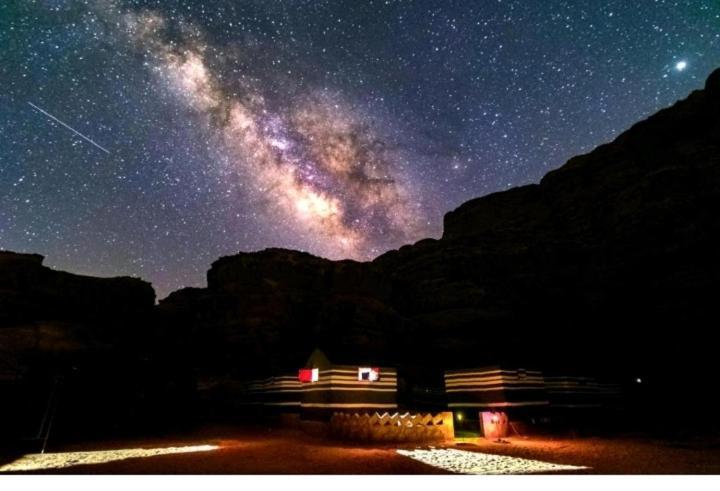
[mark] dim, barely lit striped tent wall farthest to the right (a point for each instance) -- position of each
(580, 392)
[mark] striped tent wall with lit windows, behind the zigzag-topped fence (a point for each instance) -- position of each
(338, 388)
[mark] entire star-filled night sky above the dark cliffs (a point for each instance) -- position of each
(341, 128)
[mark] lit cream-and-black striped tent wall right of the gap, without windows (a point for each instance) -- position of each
(495, 387)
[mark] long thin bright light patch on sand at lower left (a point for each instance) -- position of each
(34, 462)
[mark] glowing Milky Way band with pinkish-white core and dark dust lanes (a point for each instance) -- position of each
(314, 163)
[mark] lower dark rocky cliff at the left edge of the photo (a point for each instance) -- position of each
(90, 340)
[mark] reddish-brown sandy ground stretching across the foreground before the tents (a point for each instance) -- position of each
(280, 451)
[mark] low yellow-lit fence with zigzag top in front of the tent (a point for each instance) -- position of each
(393, 427)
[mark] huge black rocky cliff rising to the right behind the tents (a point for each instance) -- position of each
(610, 262)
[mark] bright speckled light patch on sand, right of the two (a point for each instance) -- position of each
(464, 462)
